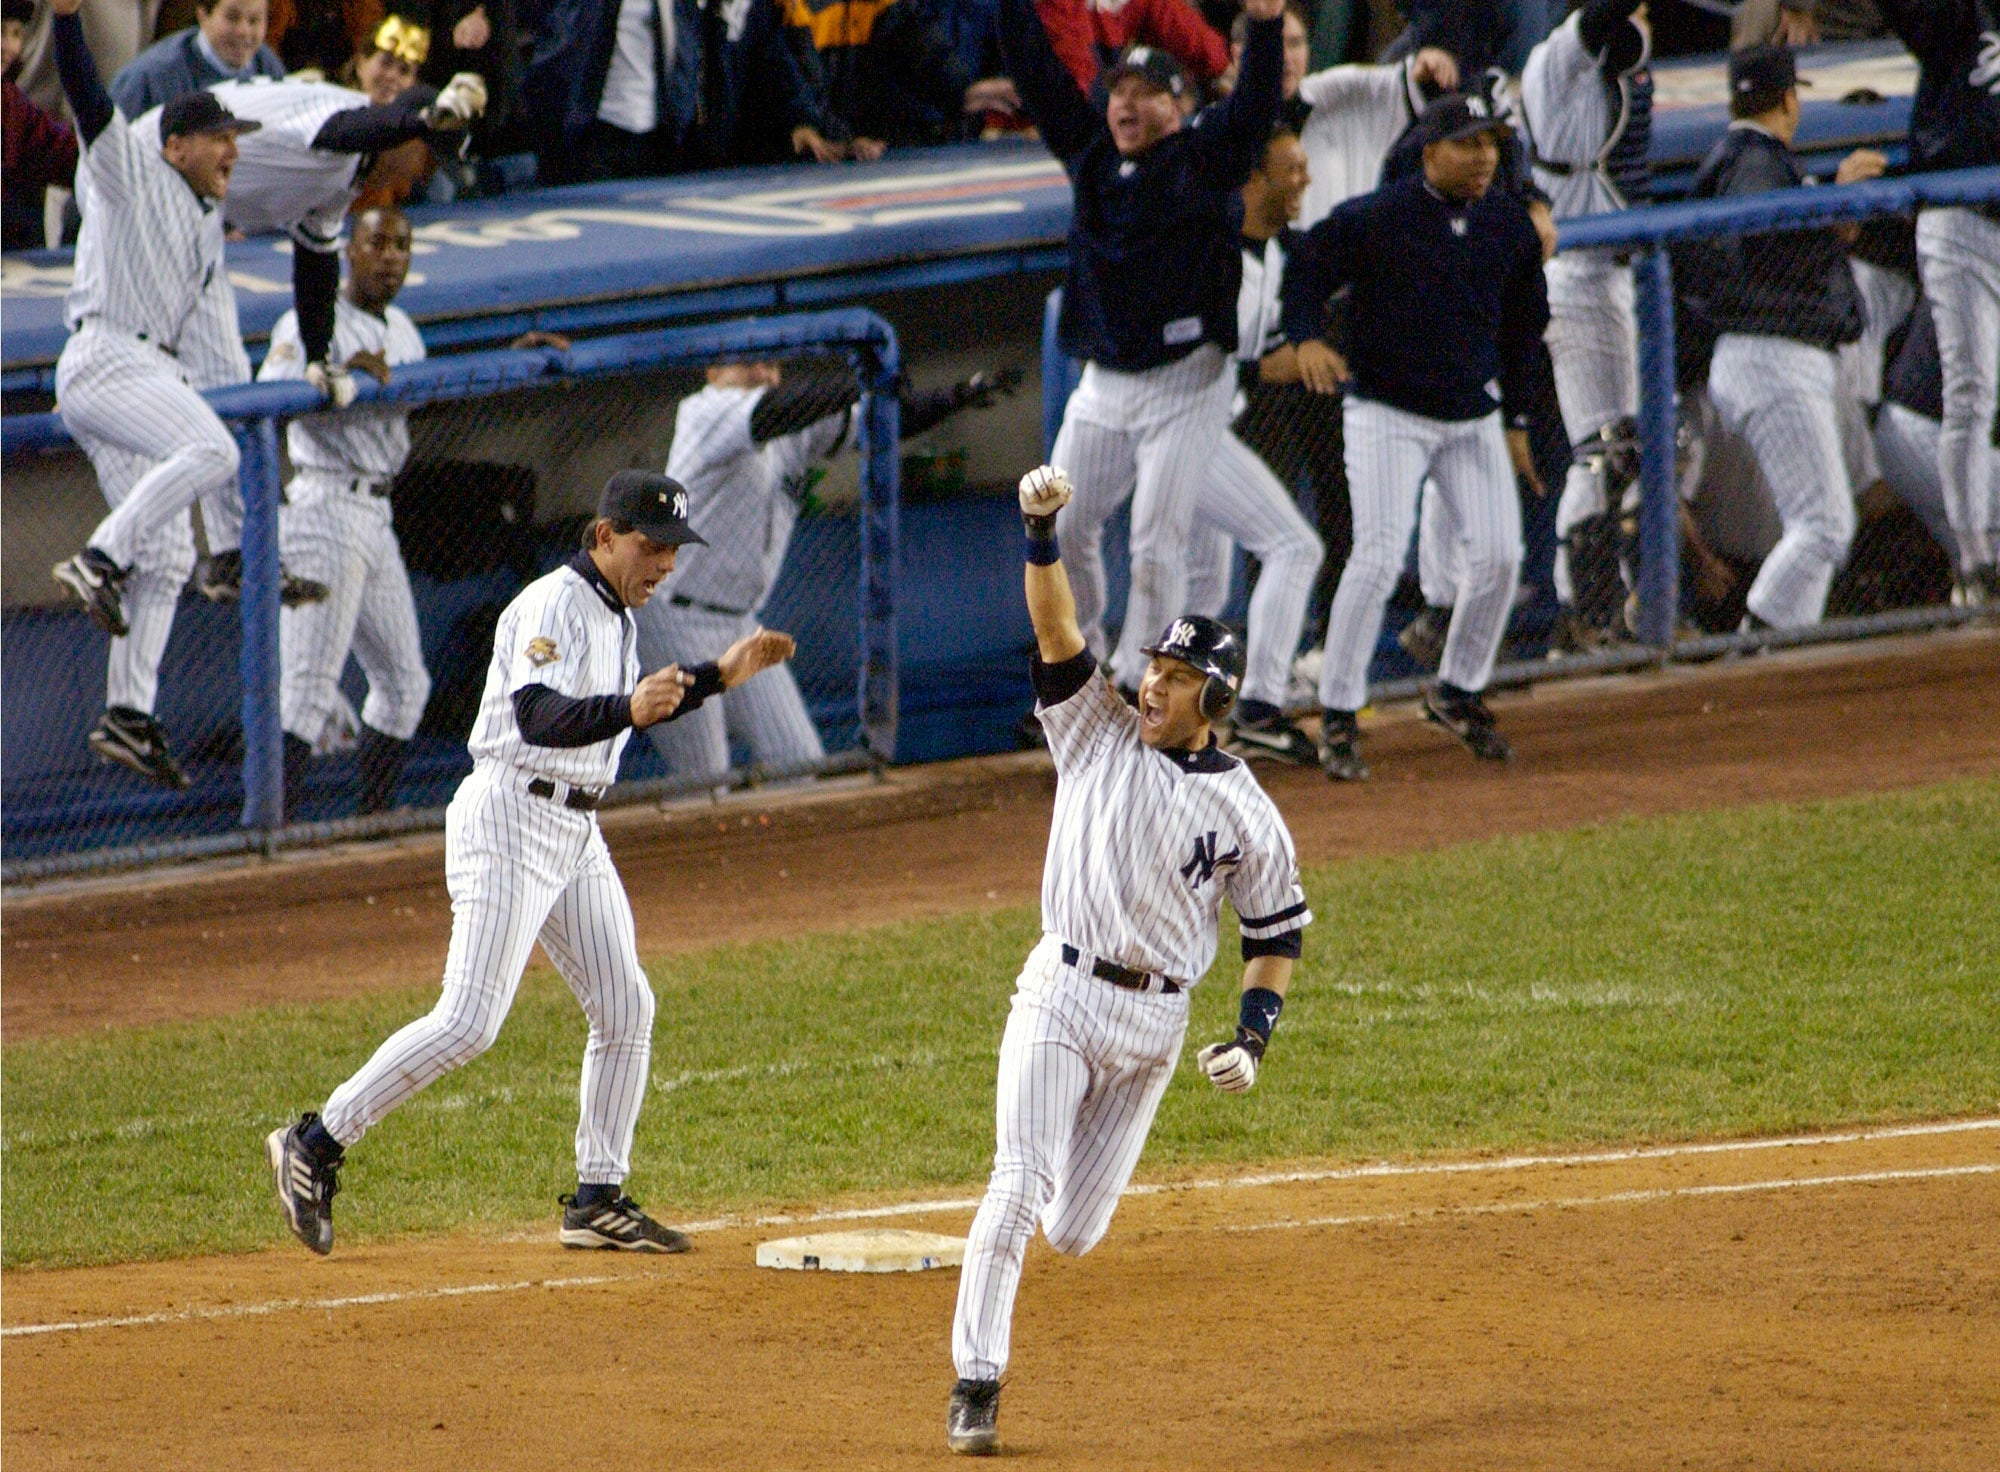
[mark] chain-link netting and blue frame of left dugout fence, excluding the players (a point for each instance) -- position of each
(509, 453)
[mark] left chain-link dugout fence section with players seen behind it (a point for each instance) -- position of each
(509, 453)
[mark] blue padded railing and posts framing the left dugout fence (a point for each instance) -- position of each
(255, 411)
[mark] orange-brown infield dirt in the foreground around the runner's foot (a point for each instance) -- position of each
(1825, 1305)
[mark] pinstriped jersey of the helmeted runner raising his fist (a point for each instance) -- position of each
(1143, 847)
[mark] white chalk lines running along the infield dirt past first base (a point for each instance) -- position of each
(1159, 1189)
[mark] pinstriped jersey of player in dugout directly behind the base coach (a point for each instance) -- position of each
(743, 495)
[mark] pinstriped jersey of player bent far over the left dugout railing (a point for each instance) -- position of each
(283, 185)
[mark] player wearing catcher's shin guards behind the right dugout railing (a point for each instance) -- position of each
(1587, 103)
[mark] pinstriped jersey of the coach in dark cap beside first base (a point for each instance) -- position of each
(563, 635)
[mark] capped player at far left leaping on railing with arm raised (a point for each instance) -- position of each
(149, 271)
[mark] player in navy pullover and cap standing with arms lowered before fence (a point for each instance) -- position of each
(1445, 251)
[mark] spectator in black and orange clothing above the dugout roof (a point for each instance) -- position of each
(881, 73)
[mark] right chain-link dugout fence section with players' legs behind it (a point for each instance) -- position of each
(1757, 393)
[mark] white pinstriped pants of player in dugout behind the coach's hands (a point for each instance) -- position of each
(767, 715)
